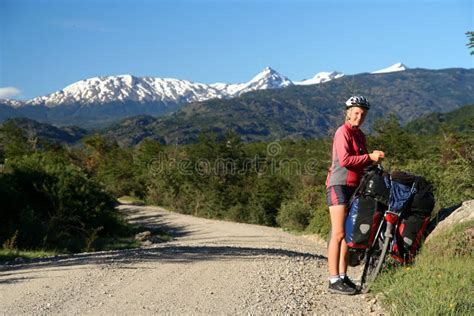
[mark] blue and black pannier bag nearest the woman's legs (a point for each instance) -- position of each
(361, 222)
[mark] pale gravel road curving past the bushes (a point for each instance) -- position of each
(210, 267)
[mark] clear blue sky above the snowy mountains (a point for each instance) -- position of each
(46, 45)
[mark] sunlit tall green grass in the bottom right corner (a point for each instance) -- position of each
(440, 282)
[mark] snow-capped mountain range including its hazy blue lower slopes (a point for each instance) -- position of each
(101, 100)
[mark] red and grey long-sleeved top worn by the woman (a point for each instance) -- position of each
(349, 157)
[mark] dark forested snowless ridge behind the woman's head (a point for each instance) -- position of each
(308, 111)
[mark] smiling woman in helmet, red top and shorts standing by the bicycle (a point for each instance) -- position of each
(349, 157)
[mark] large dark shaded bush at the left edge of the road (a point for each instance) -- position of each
(51, 203)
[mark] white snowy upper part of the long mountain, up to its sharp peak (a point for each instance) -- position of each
(127, 88)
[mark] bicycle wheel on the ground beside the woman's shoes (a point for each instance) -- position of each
(373, 264)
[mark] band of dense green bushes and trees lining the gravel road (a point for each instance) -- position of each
(63, 198)
